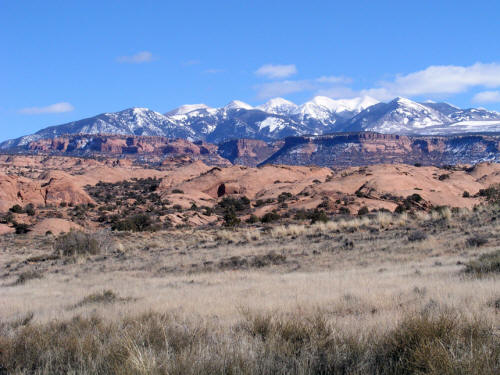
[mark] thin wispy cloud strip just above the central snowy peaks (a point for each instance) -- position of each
(280, 88)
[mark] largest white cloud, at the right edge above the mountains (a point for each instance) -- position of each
(438, 80)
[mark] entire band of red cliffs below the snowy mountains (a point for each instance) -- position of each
(334, 150)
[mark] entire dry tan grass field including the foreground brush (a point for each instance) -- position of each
(378, 294)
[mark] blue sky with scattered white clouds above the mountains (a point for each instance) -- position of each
(66, 60)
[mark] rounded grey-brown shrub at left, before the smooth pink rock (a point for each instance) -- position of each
(77, 243)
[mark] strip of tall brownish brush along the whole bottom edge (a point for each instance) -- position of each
(261, 343)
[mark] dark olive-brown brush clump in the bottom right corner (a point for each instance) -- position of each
(429, 344)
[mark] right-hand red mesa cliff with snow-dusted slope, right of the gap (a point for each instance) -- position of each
(356, 149)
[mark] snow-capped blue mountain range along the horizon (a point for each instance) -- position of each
(279, 118)
